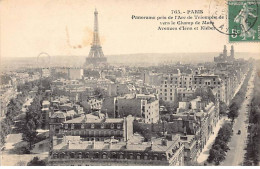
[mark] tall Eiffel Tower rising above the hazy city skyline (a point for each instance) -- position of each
(96, 56)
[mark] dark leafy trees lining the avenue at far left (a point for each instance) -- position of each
(33, 117)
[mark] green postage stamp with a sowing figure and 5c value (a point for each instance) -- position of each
(244, 21)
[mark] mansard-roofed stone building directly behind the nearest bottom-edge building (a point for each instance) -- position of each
(91, 127)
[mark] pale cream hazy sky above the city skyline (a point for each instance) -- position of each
(29, 27)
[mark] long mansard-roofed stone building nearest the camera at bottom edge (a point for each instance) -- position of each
(160, 152)
